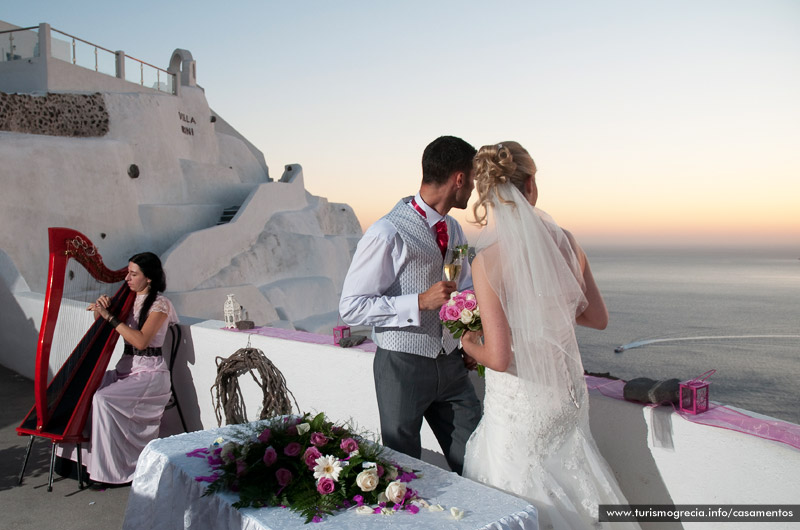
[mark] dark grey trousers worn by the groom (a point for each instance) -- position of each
(410, 387)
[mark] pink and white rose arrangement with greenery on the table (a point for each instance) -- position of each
(309, 465)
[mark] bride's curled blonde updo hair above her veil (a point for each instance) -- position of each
(506, 162)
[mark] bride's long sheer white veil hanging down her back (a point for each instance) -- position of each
(533, 269)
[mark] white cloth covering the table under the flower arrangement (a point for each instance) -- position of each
(165, 495)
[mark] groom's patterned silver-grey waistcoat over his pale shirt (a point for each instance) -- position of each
(422, 269)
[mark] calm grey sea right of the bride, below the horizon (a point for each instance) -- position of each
(736, 311)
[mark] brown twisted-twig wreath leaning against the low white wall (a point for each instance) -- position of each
(227, 394)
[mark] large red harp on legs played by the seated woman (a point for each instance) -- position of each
(62, 404)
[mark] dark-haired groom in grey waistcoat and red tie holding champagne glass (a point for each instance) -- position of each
(395, 285)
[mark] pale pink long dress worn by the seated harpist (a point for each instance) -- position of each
(127, 408)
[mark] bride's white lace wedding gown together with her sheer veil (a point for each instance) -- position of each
(534, 440)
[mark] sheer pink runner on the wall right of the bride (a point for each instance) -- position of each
(716, 416)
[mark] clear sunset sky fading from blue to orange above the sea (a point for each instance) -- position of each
(649, 121)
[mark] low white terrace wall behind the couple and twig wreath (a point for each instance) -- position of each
(658, 456)
